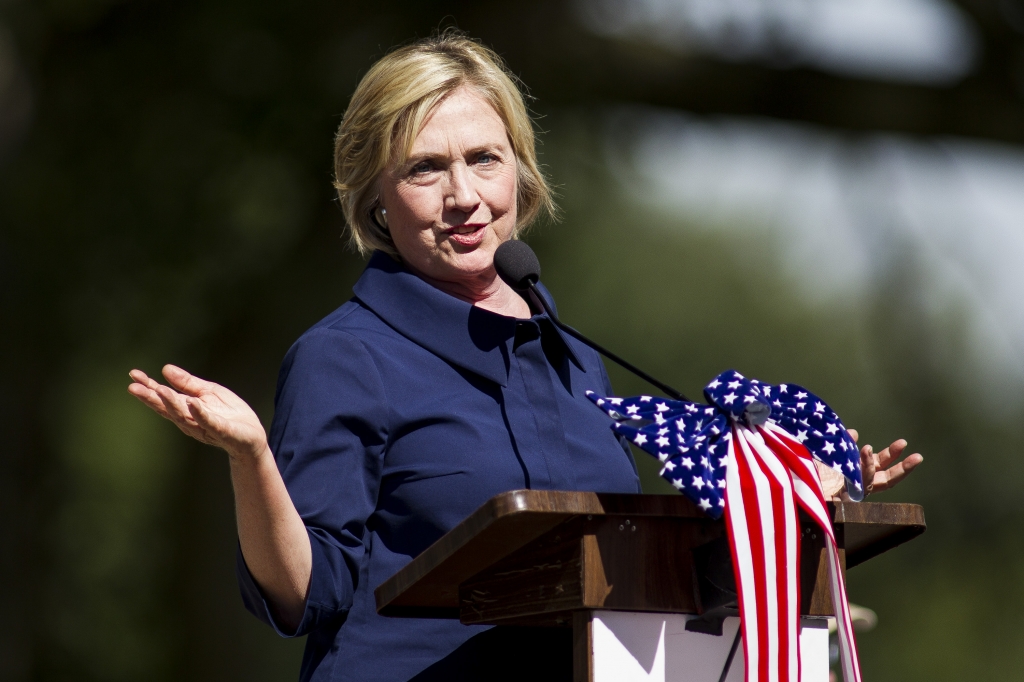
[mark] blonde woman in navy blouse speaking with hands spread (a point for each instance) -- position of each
(435, 389)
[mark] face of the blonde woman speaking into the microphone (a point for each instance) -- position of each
(454, 200)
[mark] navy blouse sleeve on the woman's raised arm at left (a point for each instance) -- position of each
(328, 436)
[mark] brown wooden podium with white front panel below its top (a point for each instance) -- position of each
(645, 581)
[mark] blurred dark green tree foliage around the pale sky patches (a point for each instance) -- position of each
(165, 197)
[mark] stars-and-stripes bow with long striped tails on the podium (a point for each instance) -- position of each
(749, 455)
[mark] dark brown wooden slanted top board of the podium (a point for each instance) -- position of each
(511, 521)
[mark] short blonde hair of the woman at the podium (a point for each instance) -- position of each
(389, 110)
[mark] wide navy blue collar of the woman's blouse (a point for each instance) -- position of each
(459, 332)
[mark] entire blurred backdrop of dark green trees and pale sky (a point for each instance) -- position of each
(744, 185)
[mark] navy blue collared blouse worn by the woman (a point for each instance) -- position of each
(398, 416)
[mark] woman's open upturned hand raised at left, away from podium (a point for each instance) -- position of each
(206, 411)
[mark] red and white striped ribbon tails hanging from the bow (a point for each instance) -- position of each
(771, 476)
